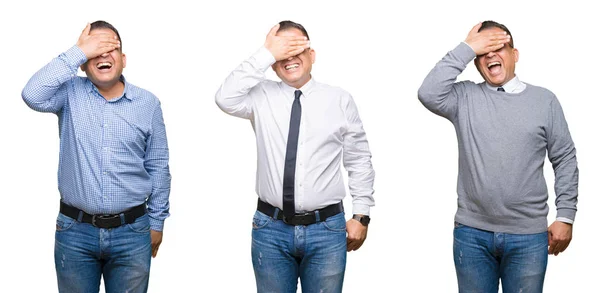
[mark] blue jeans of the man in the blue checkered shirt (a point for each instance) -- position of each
(83, 253)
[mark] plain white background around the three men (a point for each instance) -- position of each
(379, 51)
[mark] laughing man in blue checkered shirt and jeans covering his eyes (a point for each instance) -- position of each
(113, 173)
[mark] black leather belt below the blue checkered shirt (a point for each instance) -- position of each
(103, 221)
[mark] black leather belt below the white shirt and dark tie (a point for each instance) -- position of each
(302, 218)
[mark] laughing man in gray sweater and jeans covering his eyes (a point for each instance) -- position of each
(504, 128)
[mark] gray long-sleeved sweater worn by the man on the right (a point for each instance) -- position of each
(502, 144)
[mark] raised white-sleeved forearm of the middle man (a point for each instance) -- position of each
(233, 95)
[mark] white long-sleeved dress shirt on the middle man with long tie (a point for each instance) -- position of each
(330, 130)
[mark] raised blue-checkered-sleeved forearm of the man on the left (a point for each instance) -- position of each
(45, 91)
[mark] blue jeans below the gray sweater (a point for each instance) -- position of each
(482, 258)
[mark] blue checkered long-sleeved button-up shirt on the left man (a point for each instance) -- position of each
(113, 154)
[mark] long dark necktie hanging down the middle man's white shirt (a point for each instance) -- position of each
(289, 172)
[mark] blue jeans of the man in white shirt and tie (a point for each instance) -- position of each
(283, 253)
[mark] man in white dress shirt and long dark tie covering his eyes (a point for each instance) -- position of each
(304, 130)
